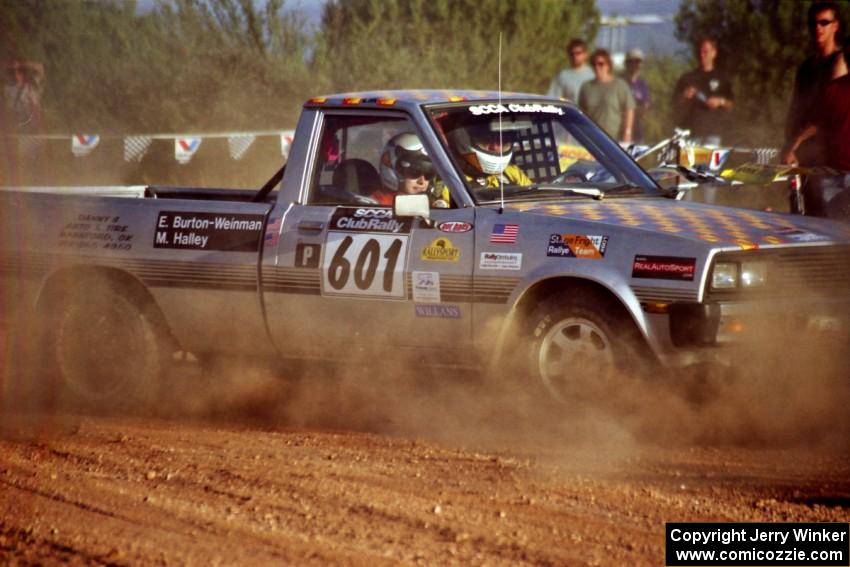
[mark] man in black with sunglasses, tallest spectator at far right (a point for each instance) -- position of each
(814, 73)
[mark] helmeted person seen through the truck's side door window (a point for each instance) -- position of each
(406, 169)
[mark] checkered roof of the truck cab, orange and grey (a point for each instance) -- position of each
(408, 98)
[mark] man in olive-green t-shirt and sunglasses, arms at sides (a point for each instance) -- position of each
(607, 99)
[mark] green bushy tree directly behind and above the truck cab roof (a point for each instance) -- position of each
(381, 44)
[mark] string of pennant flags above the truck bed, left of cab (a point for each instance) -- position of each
(135, 147)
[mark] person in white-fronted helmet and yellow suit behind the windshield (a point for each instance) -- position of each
(486, 156)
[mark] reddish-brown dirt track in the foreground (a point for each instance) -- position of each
(199, 485)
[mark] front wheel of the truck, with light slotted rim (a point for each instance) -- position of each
(579, 345)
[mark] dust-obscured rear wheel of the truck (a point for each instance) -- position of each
(105, 349)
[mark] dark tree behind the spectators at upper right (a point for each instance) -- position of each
(760, 43)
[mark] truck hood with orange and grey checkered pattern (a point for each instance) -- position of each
(713, 224)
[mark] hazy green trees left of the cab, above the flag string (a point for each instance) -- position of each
(197, 64)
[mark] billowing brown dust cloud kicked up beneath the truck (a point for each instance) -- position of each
(773, 394)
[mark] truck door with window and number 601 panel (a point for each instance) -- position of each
(347, 273)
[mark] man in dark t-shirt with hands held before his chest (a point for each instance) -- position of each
(703, 96)
